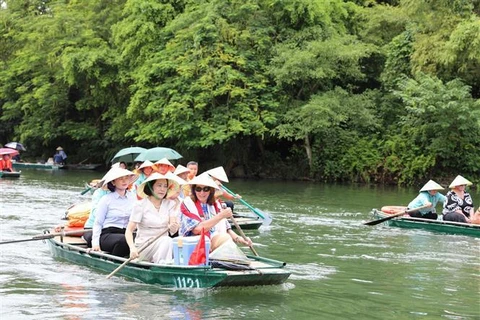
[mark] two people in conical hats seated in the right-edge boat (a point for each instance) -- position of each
(457, 203)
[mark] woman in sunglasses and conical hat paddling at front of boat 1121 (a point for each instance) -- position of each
(201, 211)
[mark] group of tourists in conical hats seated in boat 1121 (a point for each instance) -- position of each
(131, 207)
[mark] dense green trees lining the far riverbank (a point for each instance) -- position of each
(327, 90)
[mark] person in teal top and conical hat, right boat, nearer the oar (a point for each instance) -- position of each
(428, 196)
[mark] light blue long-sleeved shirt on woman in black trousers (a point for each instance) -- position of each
(113, 210)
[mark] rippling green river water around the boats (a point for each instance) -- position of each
(340, 268)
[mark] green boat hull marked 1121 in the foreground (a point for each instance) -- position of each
(263, 271)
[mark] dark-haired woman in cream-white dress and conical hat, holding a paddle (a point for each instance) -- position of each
(154, 214)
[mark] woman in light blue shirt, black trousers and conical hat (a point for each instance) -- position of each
(113, 213)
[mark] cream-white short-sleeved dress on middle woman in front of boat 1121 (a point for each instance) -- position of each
(150, 223)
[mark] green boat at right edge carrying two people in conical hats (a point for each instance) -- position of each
(431, 225)
